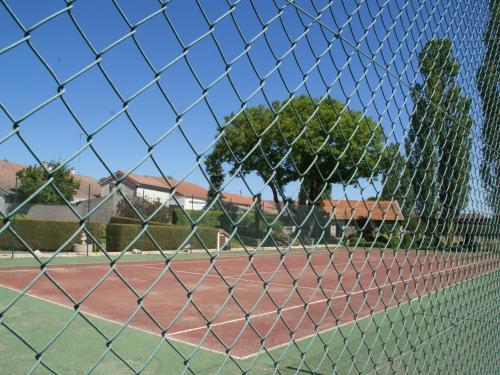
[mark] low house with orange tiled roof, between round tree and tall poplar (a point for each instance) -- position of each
(348, 216)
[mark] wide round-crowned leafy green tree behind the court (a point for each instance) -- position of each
(315, 142)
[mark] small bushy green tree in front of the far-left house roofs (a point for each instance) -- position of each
(33, 177)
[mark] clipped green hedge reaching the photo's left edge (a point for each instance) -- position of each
(45, 234)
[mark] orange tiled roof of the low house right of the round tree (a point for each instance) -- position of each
(375, 210)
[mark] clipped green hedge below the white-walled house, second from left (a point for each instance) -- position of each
(119, 236)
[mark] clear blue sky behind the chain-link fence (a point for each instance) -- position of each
(391, 34)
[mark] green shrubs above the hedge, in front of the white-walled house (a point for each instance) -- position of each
(146, 208)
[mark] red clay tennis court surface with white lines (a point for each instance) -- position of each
(182, 298)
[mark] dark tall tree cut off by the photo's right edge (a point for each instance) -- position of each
(488, 84)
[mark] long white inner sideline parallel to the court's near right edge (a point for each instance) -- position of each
(314, 302)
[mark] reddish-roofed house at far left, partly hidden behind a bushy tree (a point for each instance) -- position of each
(8, 182)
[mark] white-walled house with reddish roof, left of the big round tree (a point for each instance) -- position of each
(154, 188)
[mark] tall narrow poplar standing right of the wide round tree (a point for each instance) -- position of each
(438, 143)
